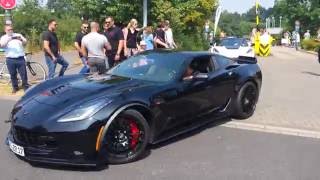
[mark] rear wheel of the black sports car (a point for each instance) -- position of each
(245, 101)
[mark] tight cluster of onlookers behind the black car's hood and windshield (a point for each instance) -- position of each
(102, 50)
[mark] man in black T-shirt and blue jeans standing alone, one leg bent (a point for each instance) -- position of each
(51, 48)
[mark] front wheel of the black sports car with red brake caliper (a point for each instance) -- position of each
(126, 138)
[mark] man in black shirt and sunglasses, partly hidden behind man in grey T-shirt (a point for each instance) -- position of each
(77, 44)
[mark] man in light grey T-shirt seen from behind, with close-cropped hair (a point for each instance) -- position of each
(93, 49)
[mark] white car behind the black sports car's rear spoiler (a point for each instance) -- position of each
(232, 47)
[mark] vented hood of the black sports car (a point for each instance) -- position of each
(85, 89)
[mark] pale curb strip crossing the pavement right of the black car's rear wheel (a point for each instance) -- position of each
(273, 129)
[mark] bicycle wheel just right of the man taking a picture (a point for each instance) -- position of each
(36, 73)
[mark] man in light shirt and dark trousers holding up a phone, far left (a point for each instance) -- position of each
(14, 51)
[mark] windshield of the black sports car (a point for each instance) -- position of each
(157, 67)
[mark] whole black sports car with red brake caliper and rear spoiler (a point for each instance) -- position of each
(96, 119)
